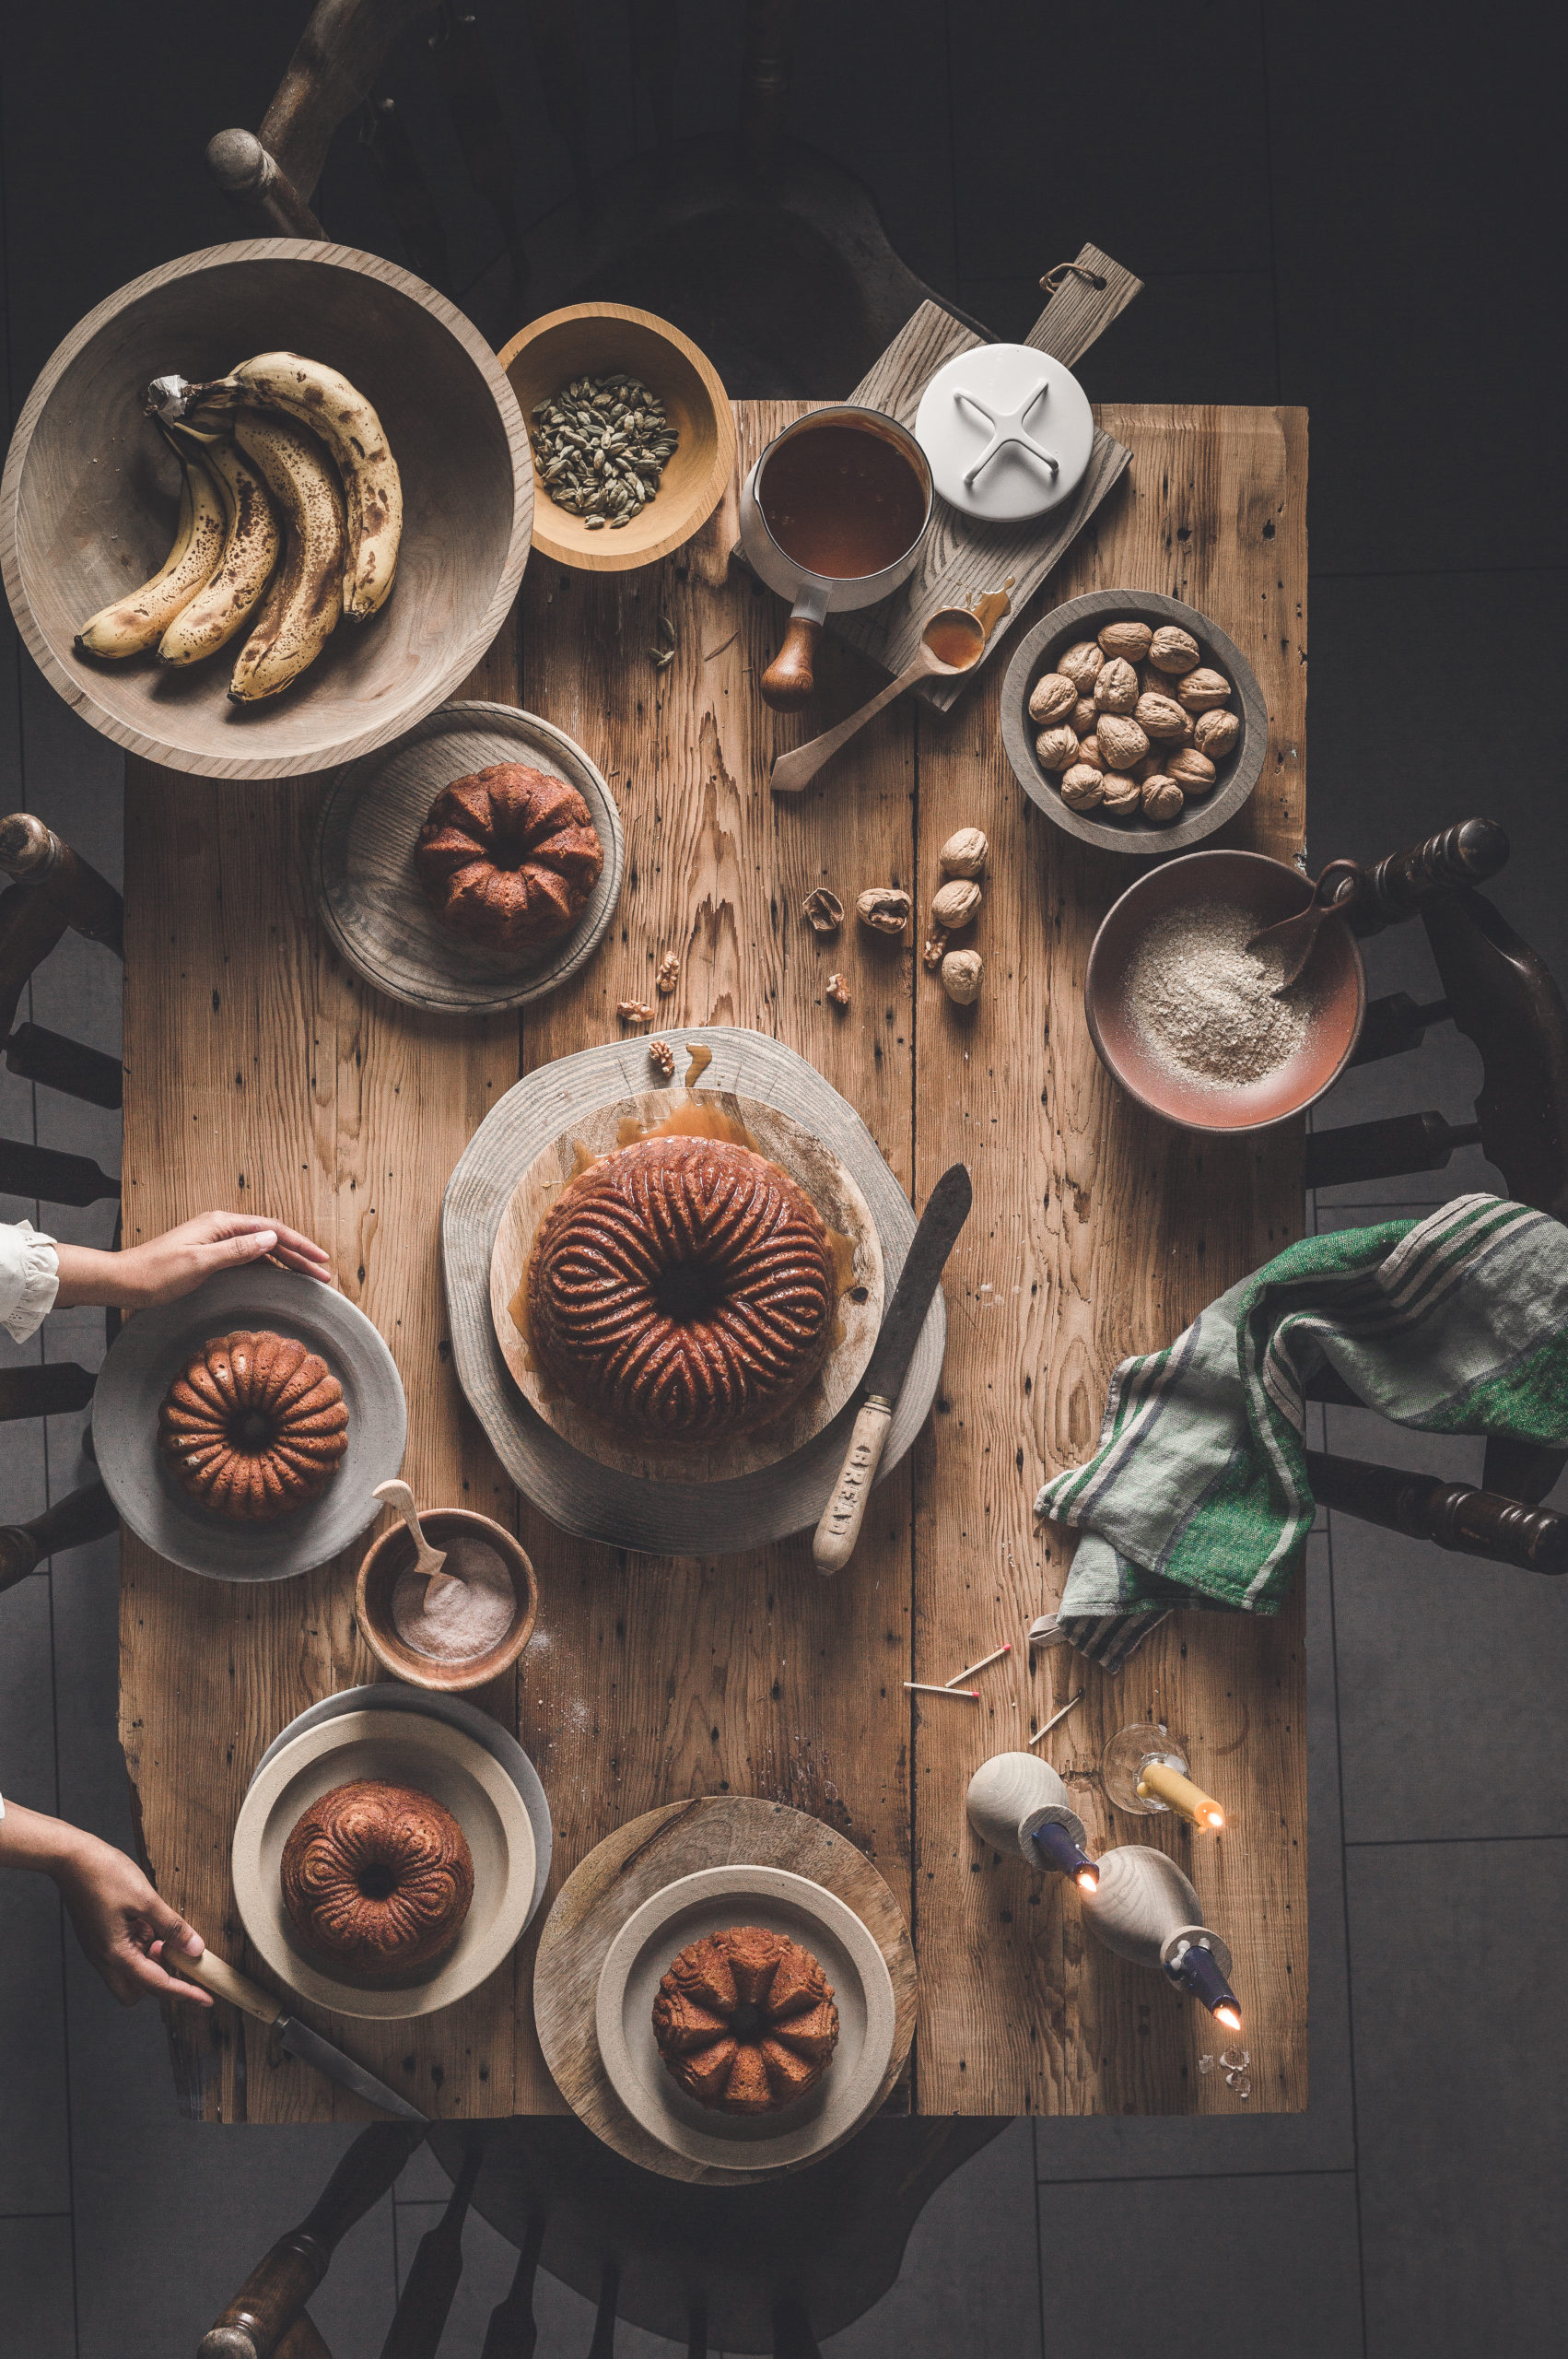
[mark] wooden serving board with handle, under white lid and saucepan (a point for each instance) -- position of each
(966, 558)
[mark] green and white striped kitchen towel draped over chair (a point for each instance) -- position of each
(1199, 1490)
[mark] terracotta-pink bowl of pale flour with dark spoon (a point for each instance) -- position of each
(1185, 1016)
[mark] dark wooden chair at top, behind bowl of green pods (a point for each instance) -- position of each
(758, 247)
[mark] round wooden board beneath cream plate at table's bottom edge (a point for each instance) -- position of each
(638, 1862)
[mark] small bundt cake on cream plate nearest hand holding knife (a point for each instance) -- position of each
(378, 1879)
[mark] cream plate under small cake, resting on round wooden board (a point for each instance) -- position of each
(862, 1990)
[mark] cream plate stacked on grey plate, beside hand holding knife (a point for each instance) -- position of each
(404, 1749)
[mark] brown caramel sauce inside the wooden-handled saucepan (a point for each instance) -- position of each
(843, 501)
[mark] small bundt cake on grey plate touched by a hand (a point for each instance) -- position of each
(256, 1426)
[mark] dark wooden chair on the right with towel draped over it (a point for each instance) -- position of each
(1501, 994)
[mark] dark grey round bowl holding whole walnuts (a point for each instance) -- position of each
(1083, 619)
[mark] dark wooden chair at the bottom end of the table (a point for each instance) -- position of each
(746, 2271)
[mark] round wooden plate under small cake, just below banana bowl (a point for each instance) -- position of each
(371, 895)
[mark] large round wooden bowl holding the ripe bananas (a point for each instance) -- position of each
(91, 492)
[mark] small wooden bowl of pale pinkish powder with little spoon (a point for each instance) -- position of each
(463, 1537)
